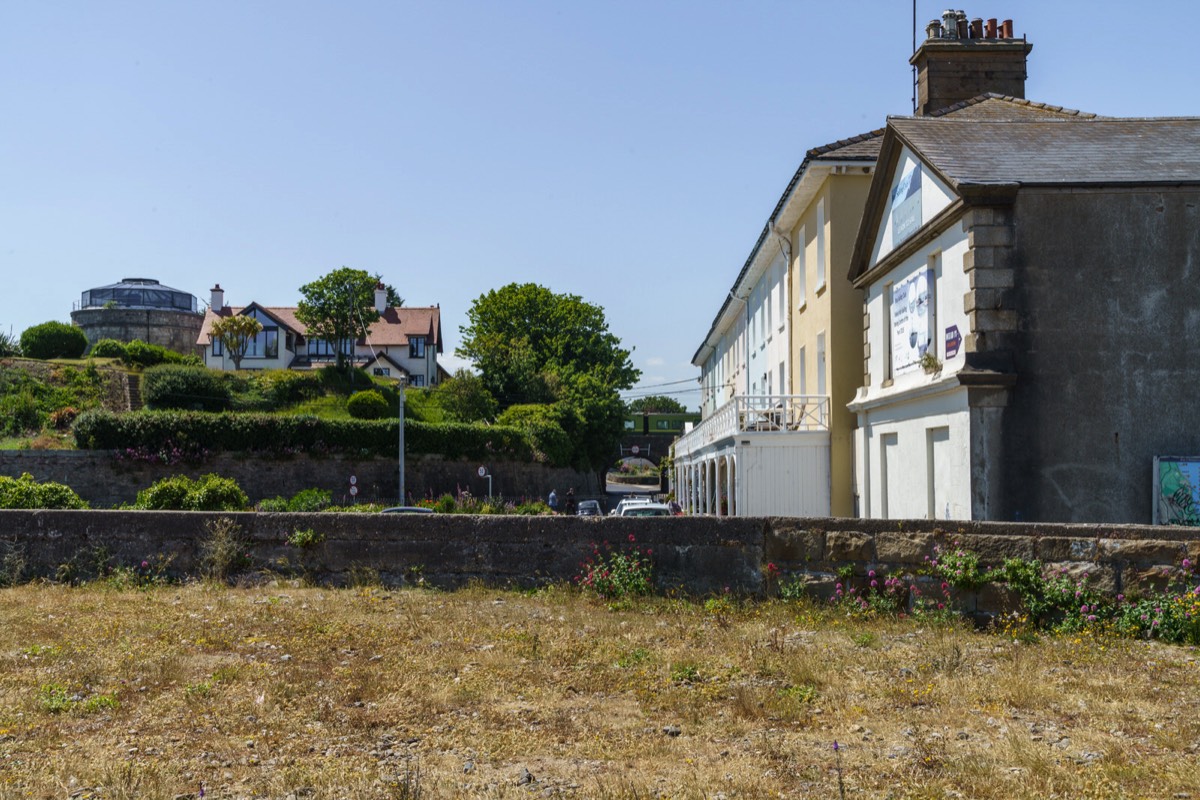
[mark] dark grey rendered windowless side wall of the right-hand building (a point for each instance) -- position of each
(1108, 352)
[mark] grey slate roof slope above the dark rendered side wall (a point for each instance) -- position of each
(1064, 153)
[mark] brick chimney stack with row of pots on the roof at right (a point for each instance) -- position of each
(961, 61)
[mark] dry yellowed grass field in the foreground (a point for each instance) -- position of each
(303, 693)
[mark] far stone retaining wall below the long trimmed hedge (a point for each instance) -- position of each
(105, 482)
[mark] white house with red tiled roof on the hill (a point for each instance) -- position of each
(405, 342)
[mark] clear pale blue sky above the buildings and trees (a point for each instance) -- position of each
(626, 152)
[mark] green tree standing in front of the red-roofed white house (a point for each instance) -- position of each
(339, 309)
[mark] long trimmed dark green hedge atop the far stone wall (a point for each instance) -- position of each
(103, 430)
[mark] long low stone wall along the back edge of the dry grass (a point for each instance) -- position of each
(694, 555)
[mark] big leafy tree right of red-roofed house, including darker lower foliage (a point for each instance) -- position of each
(536, 347)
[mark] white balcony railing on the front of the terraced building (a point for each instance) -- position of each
(758, 414)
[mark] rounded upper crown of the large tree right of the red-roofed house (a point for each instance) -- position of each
(521, 335)
